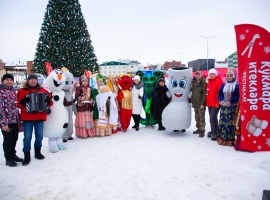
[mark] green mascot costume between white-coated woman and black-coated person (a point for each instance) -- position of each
(149, 78)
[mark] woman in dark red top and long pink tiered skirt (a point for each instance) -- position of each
(84, 123)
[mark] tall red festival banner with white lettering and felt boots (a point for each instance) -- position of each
(253, 49)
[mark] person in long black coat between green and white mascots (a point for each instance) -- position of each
(162, 99)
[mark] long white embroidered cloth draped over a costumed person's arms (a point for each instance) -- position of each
(103, 120)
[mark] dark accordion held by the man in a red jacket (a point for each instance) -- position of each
(37, 102)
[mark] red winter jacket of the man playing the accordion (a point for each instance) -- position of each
(32, 116)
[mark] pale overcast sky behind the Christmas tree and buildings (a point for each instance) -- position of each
(150, 31)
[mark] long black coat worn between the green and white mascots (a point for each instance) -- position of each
(161, 100)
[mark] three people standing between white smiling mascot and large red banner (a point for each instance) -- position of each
(216, 96)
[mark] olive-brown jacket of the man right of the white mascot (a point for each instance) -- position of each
(198, 92)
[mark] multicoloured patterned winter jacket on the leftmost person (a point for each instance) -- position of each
(8, 109)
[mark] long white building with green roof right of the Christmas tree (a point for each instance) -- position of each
(116, 68)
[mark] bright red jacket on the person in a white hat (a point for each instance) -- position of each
(213, 87)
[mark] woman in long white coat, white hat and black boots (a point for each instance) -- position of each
(137, 93)
